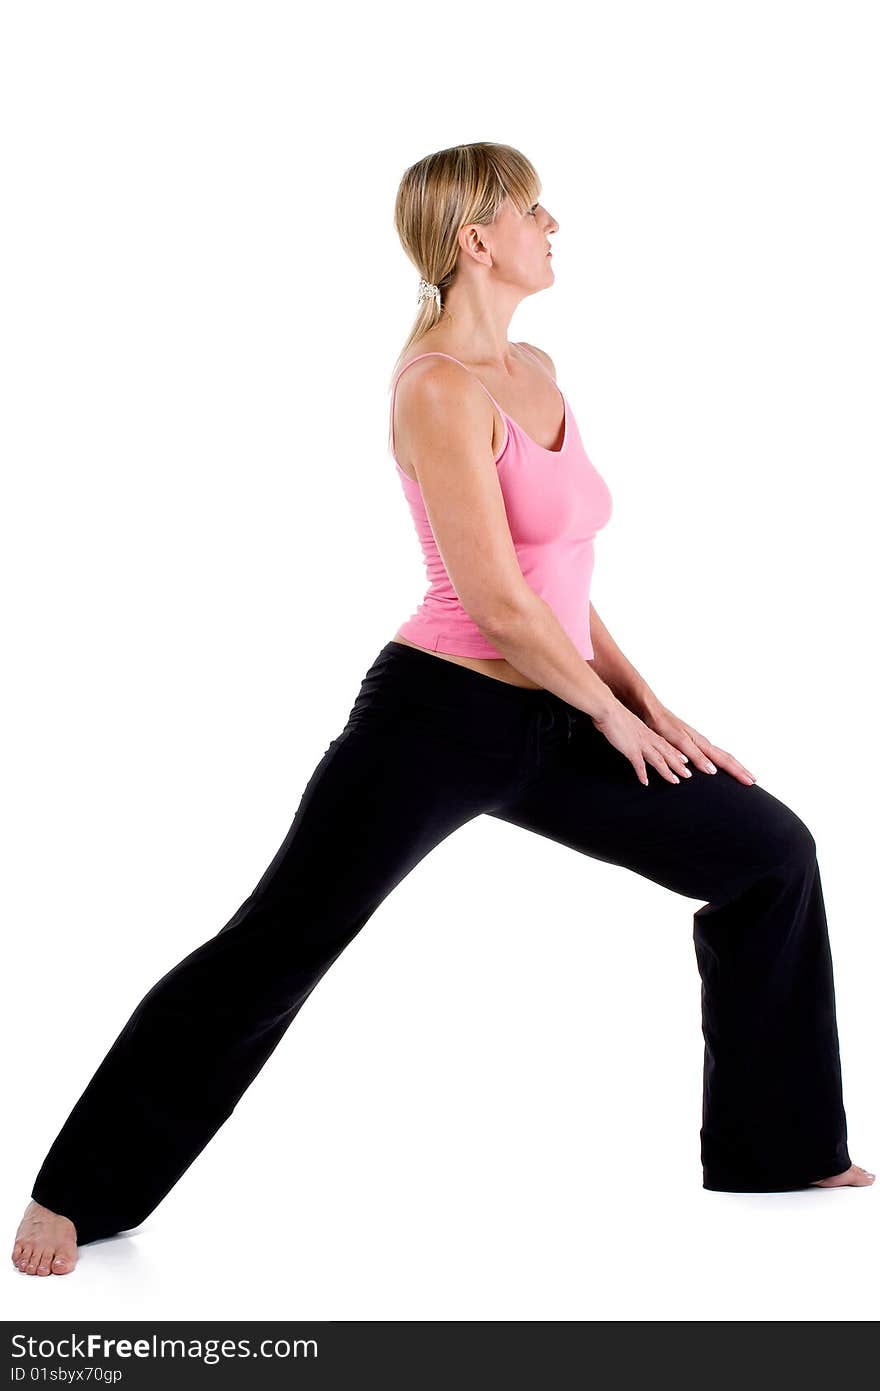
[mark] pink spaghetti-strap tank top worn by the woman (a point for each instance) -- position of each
(555, 503)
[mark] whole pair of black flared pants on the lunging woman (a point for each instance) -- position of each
(427, 748)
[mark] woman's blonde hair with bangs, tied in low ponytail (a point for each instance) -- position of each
(444, 193)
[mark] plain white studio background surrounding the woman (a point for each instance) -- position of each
(205, 546)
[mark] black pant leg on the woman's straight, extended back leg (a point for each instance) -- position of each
(390, 789)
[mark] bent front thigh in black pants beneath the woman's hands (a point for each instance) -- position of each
(707, 837)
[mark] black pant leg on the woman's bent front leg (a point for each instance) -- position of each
(774, 1116)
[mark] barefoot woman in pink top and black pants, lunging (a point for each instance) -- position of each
(503, 695)
